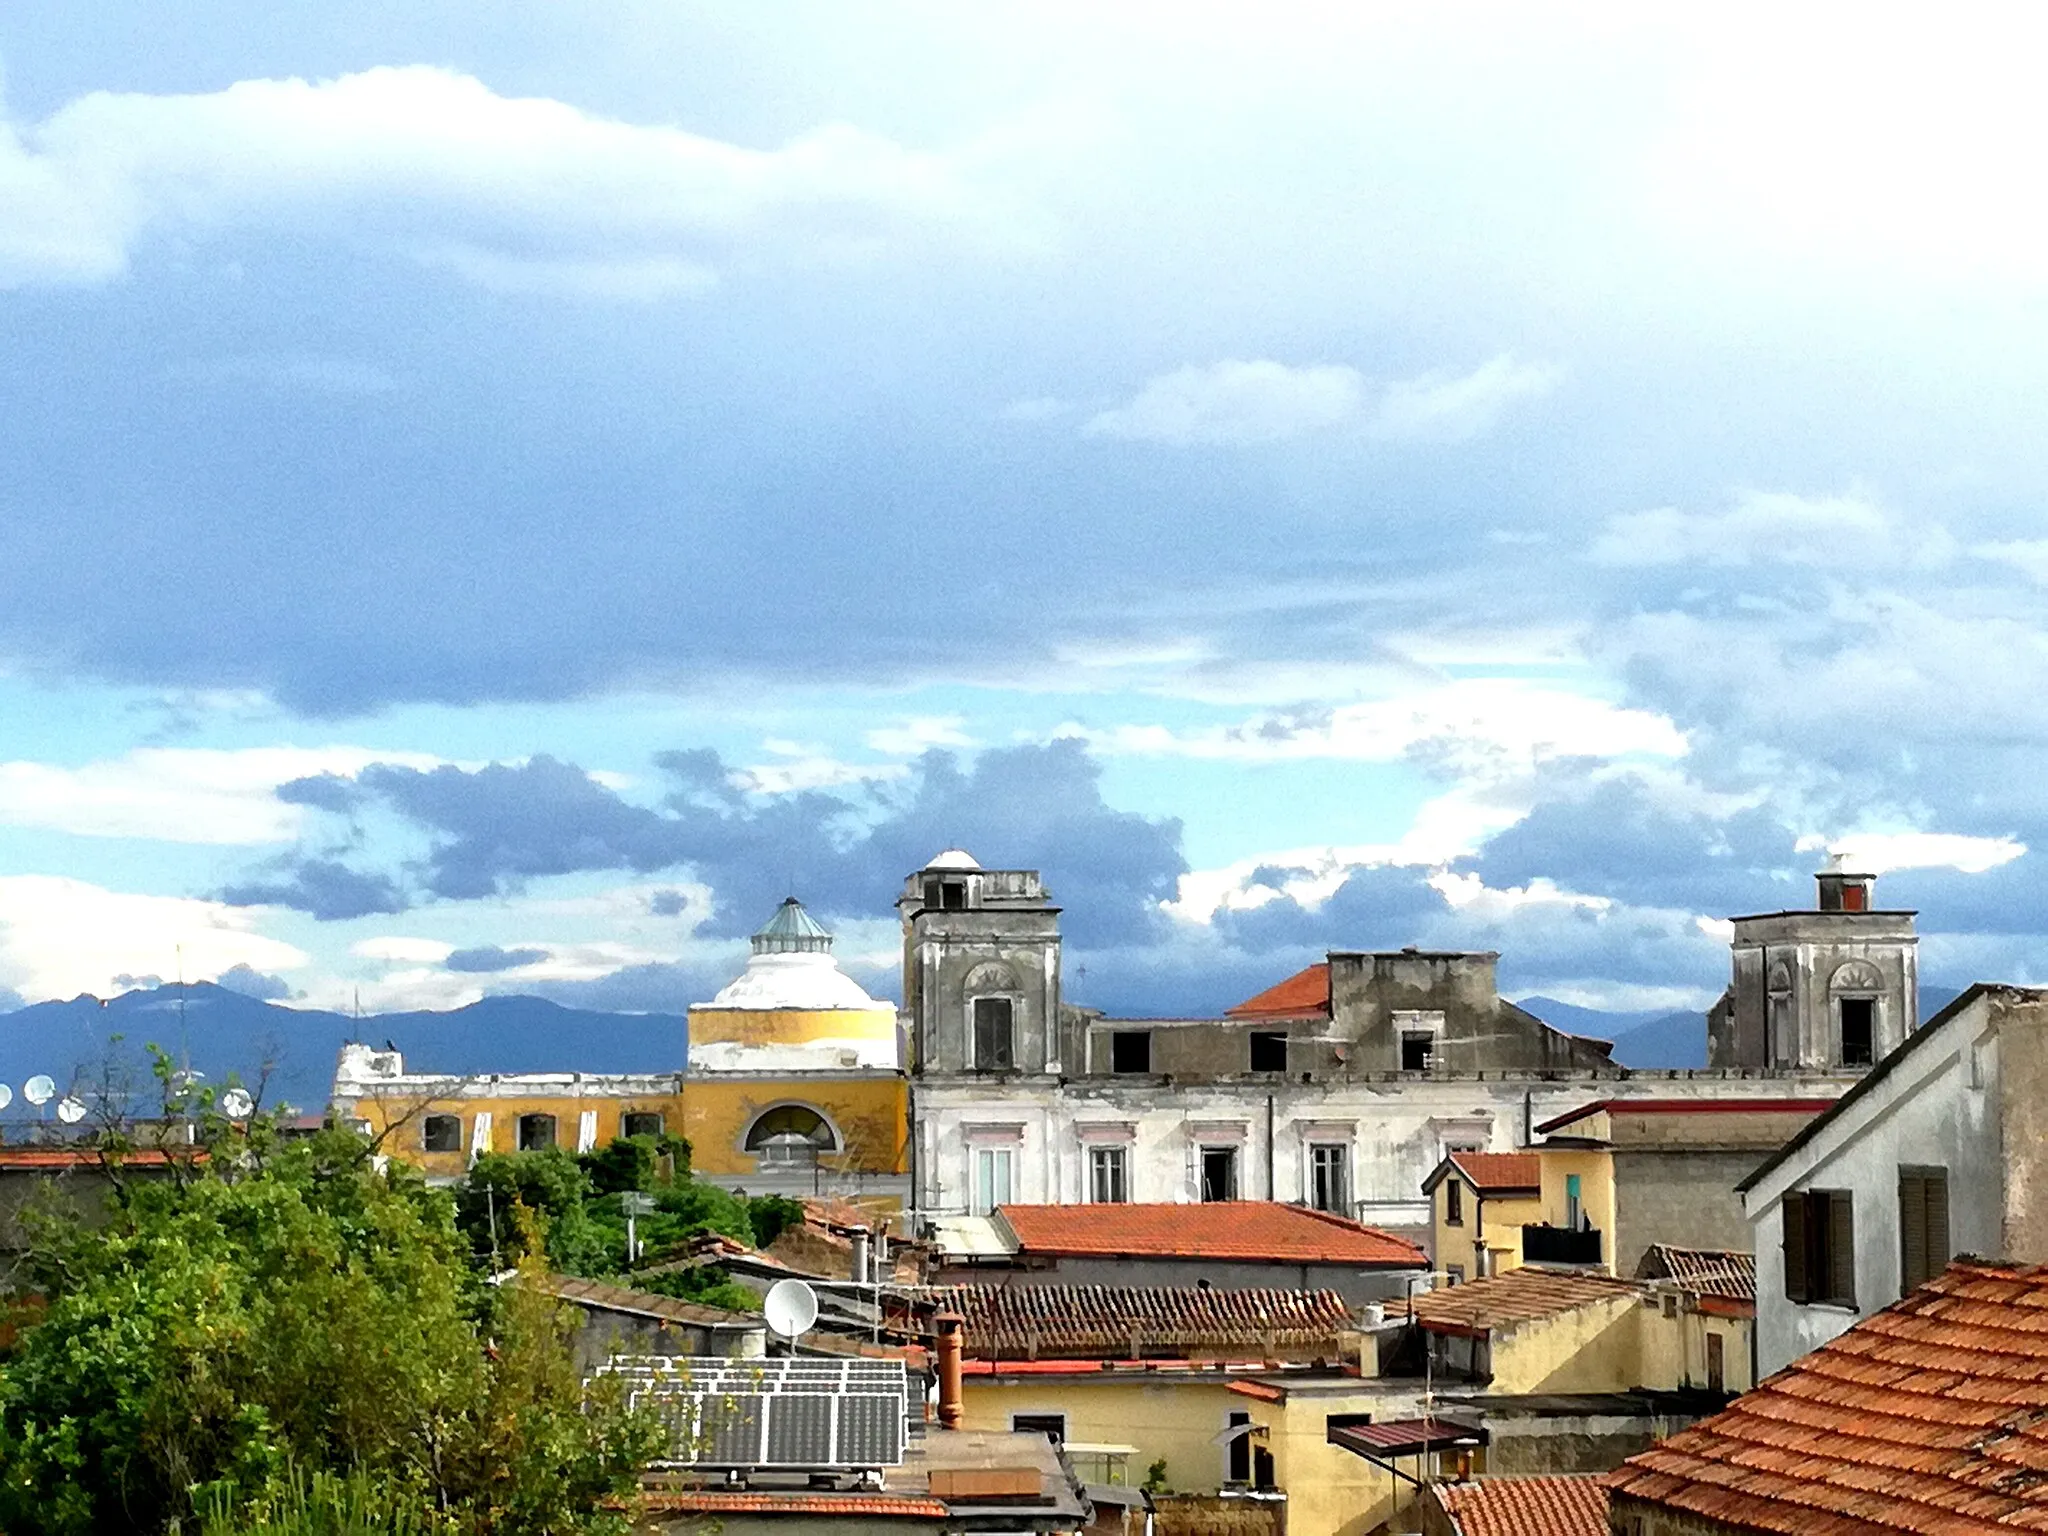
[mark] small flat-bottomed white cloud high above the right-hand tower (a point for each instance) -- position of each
(1775, 527)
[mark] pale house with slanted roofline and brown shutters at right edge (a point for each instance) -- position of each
(1943, 1150)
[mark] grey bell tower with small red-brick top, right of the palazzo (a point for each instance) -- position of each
(1826, 990)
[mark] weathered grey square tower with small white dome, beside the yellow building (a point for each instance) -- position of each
(980, 970)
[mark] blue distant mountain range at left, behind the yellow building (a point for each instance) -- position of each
(222, 1031)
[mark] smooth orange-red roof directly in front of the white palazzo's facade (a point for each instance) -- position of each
(1254, 1232)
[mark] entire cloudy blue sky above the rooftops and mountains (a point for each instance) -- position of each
(495, 497)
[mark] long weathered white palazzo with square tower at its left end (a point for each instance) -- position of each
(1338, 1089)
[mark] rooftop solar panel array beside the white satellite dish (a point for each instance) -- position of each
(796, 1414)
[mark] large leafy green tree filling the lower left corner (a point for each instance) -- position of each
(261, 1312)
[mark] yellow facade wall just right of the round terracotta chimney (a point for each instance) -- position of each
(1164, 1418)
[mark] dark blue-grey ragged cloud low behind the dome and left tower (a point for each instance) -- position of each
(501, 826)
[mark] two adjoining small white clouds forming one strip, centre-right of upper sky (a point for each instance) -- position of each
(1240, 402)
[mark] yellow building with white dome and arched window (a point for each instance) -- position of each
(794, 1086)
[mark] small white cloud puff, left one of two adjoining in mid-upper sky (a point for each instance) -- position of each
(1236, 402)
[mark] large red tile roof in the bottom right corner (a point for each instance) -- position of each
(1930, 1416)
